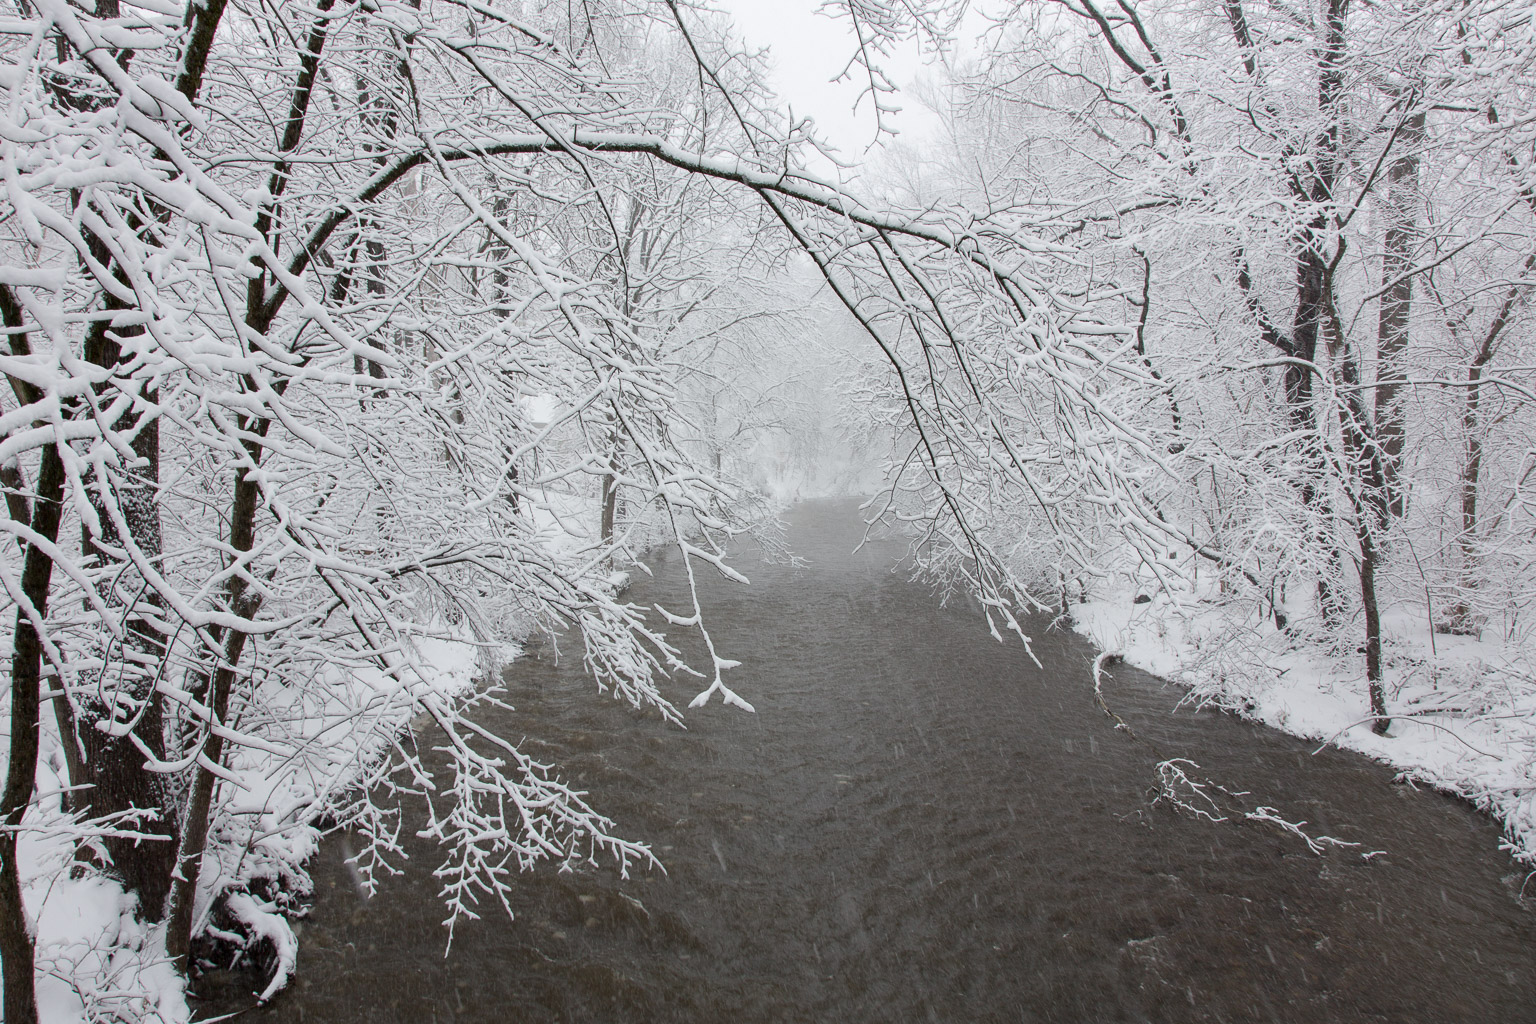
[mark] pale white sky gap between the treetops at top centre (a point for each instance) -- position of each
(809, 51)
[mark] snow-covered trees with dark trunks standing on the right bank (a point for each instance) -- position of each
(1314, 216)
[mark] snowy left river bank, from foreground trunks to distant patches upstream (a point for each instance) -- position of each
(305, 753)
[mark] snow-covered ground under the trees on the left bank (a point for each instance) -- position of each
(96, 962)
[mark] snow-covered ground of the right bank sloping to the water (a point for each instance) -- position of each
(1465, 710)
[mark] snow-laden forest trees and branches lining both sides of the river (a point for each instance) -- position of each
(345, 337)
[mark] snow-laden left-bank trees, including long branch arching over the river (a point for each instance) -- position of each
(317, 317)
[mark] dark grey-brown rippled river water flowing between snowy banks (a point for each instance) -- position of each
(919, 825)
